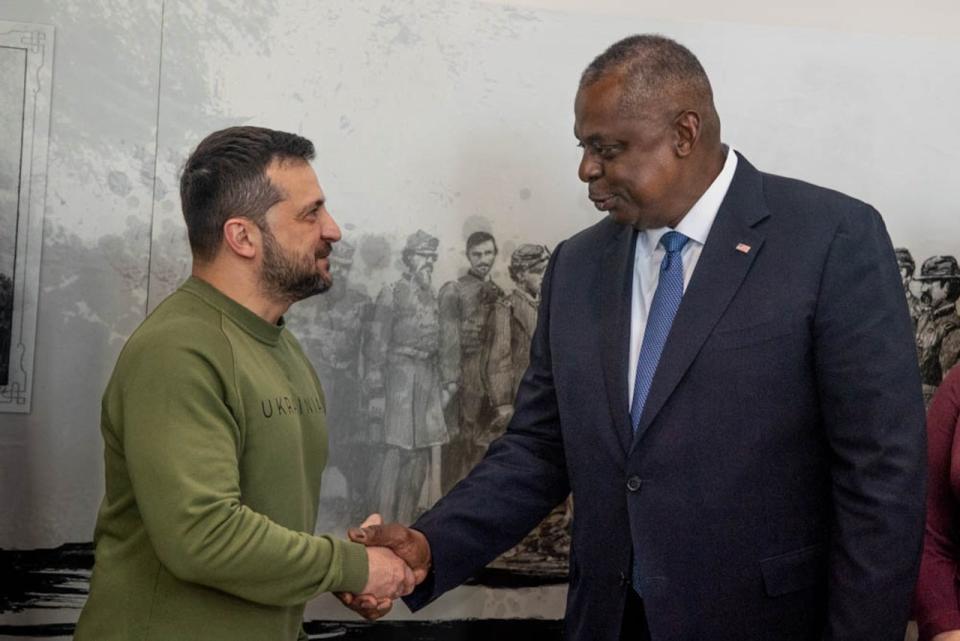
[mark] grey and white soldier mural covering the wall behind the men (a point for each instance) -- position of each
(445, 148)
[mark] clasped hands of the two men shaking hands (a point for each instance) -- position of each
(398, 559)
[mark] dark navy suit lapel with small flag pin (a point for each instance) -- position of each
(719, 274)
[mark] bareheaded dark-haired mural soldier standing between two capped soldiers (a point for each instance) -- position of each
(466, 309)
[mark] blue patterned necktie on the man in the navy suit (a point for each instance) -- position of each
(666, 300)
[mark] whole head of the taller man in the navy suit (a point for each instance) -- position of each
(650, 134)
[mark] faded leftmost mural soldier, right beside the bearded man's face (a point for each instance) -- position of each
(333, 340)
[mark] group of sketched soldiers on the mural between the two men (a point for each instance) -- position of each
(420, 379)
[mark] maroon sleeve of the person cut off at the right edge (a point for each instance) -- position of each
(936, 605)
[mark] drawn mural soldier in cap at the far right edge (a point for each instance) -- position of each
(938, 341)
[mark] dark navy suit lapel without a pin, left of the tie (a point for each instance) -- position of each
(615, 294)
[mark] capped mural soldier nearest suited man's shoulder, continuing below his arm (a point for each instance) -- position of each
(515, 319)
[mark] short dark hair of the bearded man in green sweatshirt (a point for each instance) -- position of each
(225, 176)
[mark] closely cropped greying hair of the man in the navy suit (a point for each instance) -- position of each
(657, 73)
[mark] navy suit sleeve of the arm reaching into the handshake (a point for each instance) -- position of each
(520, 479)
